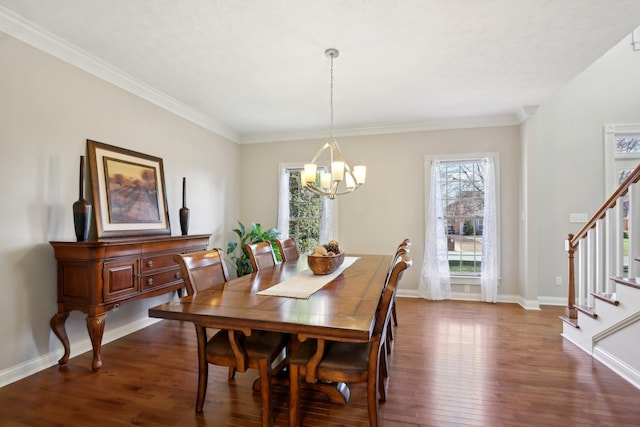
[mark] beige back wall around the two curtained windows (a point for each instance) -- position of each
(390, 207)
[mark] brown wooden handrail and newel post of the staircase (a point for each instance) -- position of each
(573, 239)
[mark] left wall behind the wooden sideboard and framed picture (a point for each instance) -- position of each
(47, 111)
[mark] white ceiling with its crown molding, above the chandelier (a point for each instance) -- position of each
(256, 70)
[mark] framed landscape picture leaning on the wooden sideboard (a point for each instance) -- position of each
(129, 193)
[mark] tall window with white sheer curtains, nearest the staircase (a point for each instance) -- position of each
(468, 200)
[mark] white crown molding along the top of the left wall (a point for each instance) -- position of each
(27, 32)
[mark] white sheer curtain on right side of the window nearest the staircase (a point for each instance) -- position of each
(489, 269)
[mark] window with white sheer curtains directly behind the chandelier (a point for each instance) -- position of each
(302, 214)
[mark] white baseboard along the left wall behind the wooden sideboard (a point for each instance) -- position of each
(30, 367)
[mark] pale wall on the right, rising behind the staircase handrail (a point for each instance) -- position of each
(570, 153)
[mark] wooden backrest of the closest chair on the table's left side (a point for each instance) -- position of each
(202, 270)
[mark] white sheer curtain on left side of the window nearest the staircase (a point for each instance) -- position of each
(435, 280)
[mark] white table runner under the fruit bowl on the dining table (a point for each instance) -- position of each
(305, 283)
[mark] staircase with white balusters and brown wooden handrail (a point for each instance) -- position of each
(603, 304)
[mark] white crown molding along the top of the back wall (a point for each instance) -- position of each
(460, 123)
